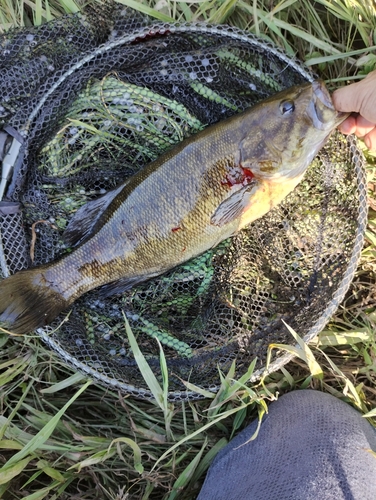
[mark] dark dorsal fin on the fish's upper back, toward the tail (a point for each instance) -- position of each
(83, 221)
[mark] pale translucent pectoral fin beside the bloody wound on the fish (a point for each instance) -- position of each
(235, 205)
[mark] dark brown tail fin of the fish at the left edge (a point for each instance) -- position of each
(28, 302)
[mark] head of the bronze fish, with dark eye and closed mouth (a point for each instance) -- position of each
(292, 126)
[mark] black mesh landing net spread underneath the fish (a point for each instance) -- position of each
(96, 97)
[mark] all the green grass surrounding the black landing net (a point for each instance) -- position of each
(62, 437)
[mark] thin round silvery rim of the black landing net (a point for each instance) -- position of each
(268, 46)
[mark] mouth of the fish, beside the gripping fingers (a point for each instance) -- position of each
(321, 110)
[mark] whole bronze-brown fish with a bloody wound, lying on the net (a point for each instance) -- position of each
(190, 199)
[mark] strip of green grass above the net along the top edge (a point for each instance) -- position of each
(331, 36)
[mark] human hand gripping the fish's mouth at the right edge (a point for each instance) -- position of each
(359, 98)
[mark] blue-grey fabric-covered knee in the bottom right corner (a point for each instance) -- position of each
(310, 445)
